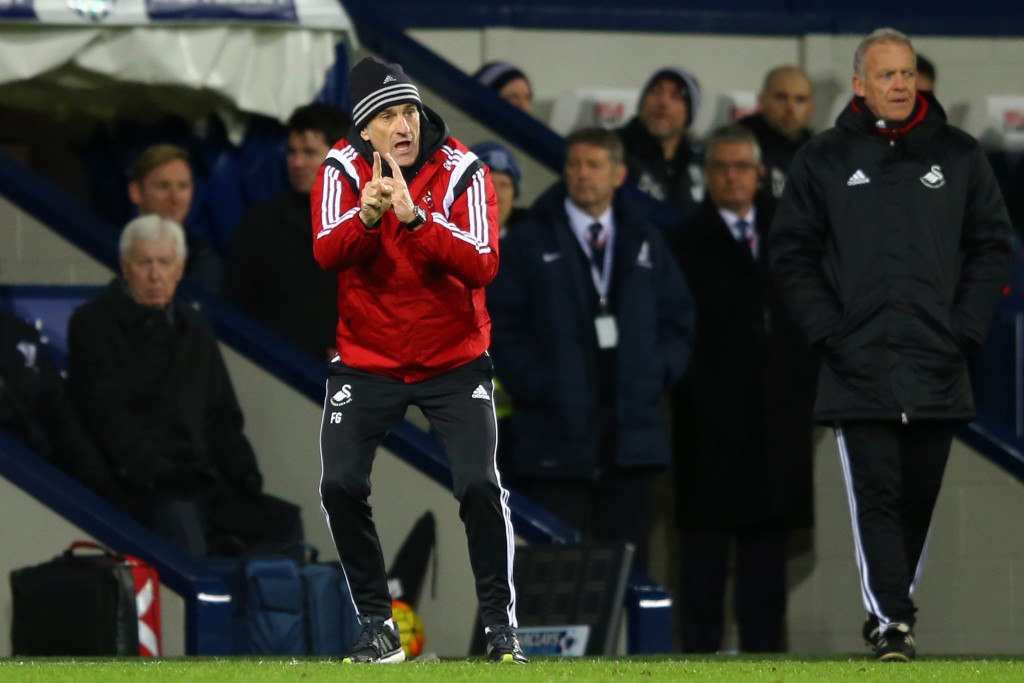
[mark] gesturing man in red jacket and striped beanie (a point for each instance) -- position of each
(408, 219)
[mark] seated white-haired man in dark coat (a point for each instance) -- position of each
(151, 385)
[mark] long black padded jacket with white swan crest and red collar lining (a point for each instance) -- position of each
(891, 248)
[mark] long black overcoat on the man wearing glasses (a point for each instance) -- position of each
(743, 423)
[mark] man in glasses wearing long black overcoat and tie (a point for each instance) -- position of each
(743, 431)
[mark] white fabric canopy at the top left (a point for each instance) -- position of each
(190, 57)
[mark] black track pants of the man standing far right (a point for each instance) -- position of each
(893, 475)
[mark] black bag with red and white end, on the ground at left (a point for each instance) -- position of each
(80, 606)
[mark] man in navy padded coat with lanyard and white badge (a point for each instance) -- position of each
(592, 324)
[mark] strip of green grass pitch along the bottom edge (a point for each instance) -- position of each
(780, 669)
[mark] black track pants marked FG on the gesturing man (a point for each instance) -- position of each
(359, 411)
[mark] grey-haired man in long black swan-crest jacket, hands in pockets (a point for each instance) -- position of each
(891, 246)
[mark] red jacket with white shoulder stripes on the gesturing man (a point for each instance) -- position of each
(411, 305)
